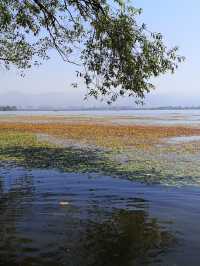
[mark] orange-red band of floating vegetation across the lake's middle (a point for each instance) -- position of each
(105, 135)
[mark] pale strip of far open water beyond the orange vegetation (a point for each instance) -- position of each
(168, 117)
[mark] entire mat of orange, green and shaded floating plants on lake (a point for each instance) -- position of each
(83, 145)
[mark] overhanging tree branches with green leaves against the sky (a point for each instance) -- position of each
(114, 55)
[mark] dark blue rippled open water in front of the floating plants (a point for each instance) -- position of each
(108, 222)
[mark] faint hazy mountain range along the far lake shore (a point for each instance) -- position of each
(60, 100)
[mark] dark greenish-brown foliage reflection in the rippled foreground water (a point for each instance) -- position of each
(127, 238)
